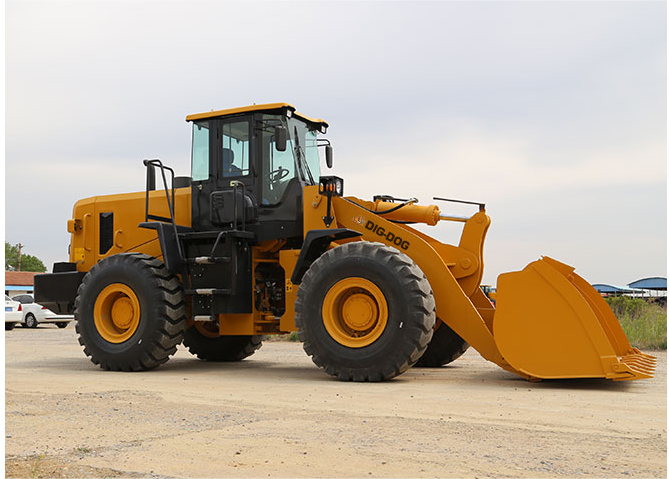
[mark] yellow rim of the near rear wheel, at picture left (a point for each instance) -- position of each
(116, 313)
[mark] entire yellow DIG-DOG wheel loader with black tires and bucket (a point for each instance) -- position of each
(256, 242)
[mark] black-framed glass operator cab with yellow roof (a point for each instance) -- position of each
(249, 166)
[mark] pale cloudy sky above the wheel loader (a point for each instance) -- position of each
(551, 113)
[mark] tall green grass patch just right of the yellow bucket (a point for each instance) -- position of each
(645, 324)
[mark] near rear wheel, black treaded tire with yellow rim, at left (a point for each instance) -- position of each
(130, 313)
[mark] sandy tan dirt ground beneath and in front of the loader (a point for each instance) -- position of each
(277, 415)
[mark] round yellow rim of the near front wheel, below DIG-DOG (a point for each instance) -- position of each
(355, 312)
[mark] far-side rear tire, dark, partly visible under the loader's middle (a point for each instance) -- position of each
(208, 346)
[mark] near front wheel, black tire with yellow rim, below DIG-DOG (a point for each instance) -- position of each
(378, 297)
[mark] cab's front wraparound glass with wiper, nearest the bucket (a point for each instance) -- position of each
(299, 160)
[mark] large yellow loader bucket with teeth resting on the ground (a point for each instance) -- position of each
(550, 323)
